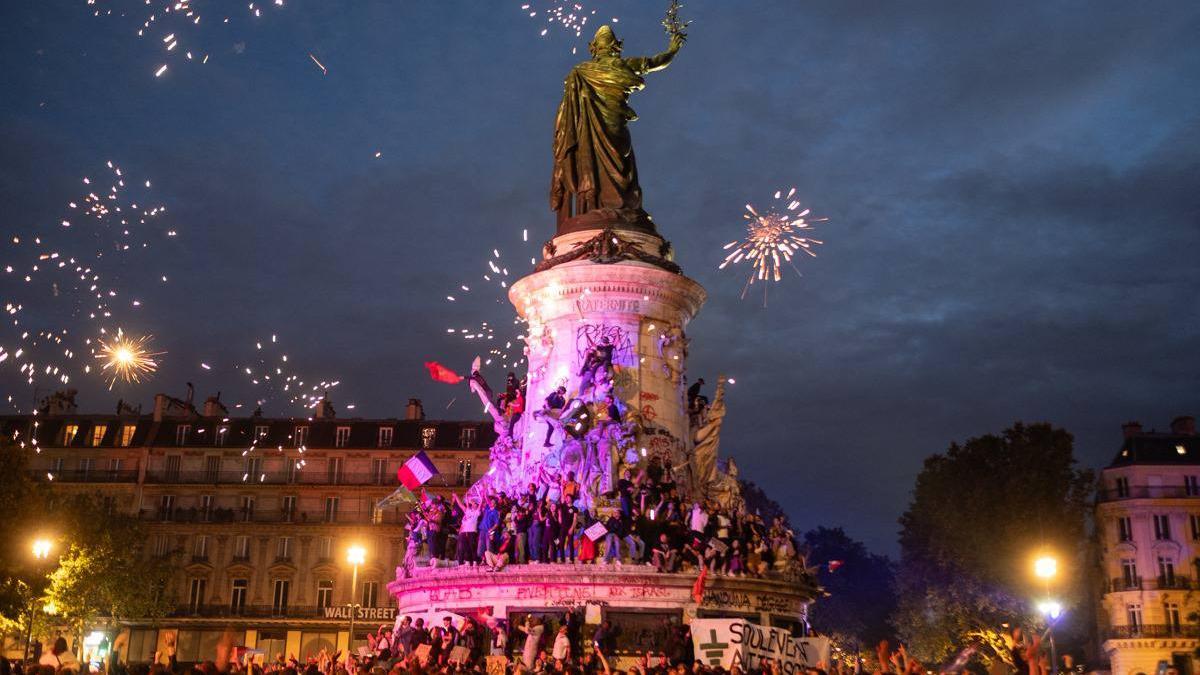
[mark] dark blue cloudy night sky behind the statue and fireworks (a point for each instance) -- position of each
(1013, 192)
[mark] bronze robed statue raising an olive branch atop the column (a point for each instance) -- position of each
(596, 175)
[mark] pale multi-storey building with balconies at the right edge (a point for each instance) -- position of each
(1148, 522)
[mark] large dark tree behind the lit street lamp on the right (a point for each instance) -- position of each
(979, 516)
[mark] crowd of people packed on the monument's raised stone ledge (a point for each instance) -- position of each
(651, 525)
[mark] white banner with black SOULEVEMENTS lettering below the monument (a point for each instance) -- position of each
(735, 643)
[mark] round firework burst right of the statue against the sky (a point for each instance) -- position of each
(773, 240)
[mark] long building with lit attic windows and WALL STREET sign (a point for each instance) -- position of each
(255, 513)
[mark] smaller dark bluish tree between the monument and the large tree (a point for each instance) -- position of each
(861, 587)
